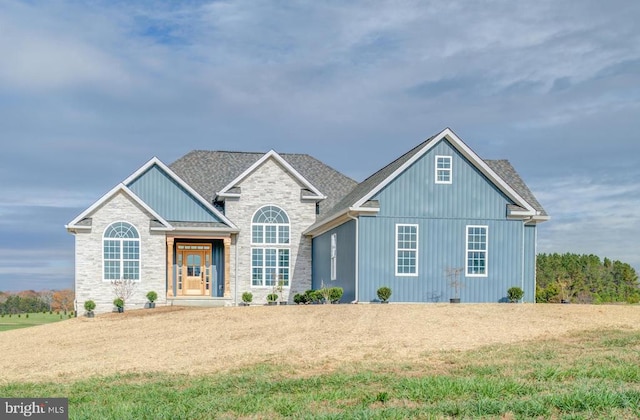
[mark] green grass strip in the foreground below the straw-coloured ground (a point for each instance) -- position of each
(585, 375)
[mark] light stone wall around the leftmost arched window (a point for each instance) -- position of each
(88, 282)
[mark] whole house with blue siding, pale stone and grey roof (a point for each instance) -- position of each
(213, 225)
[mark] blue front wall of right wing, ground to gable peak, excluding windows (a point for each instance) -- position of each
(442, 213)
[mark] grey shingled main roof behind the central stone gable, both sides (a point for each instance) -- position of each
(208, 172)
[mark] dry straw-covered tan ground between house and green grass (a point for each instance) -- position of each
(313, 337)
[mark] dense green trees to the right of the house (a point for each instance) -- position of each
(585, 279)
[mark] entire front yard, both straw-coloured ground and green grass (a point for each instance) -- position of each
(335, 361)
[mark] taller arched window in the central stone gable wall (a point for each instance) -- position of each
(270, 251)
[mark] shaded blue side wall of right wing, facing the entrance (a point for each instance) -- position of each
(345, 263)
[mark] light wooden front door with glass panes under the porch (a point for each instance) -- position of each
(194, 263)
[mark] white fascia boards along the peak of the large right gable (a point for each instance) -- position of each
(448, 134)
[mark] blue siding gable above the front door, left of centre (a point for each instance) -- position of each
(167, 197)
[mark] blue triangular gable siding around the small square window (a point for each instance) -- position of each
(414, 193)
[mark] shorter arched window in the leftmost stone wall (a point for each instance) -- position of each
(121, 252)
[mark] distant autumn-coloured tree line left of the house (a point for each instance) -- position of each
(30, 301)
